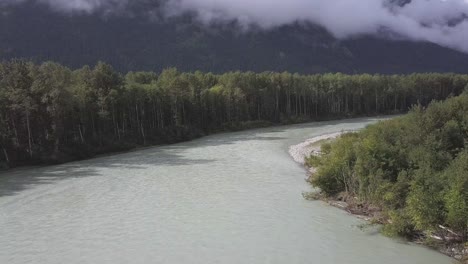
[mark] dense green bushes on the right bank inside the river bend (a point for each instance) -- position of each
(409, 174)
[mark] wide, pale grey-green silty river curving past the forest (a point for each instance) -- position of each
(226, 198)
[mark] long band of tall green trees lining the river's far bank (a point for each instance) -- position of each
(50, 113)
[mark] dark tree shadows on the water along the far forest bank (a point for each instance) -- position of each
(14, 181)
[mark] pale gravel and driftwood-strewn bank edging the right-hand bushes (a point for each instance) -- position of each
(368, 212)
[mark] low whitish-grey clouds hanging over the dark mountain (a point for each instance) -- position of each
(444, 22)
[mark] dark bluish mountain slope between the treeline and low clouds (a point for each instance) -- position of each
(134, 42)
